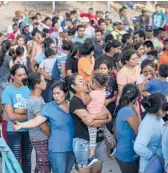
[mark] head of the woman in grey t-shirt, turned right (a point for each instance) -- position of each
(36, 81)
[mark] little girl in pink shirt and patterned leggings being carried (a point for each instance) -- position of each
(95, 103)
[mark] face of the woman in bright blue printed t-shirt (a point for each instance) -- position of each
(19, 76)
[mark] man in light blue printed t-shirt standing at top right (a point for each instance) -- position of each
(158, 19)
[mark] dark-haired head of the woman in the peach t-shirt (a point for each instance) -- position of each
(130, 58)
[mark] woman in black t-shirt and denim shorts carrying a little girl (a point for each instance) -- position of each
(82, 119)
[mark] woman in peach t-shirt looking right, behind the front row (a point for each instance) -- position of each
(130, 72)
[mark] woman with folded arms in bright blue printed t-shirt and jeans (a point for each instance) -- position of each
(14, 99)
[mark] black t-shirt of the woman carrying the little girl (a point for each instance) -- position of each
(81, 129)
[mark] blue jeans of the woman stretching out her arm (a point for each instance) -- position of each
(61, 162)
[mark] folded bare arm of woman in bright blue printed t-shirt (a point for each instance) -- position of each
(12, 115)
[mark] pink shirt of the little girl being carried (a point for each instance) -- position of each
(97, 102)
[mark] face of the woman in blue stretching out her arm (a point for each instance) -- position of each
(59, 95)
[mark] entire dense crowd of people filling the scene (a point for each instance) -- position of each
(82, 87)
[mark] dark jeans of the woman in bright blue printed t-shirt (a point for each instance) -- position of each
(21, 147)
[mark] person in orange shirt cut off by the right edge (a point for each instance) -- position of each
(163, 59)
